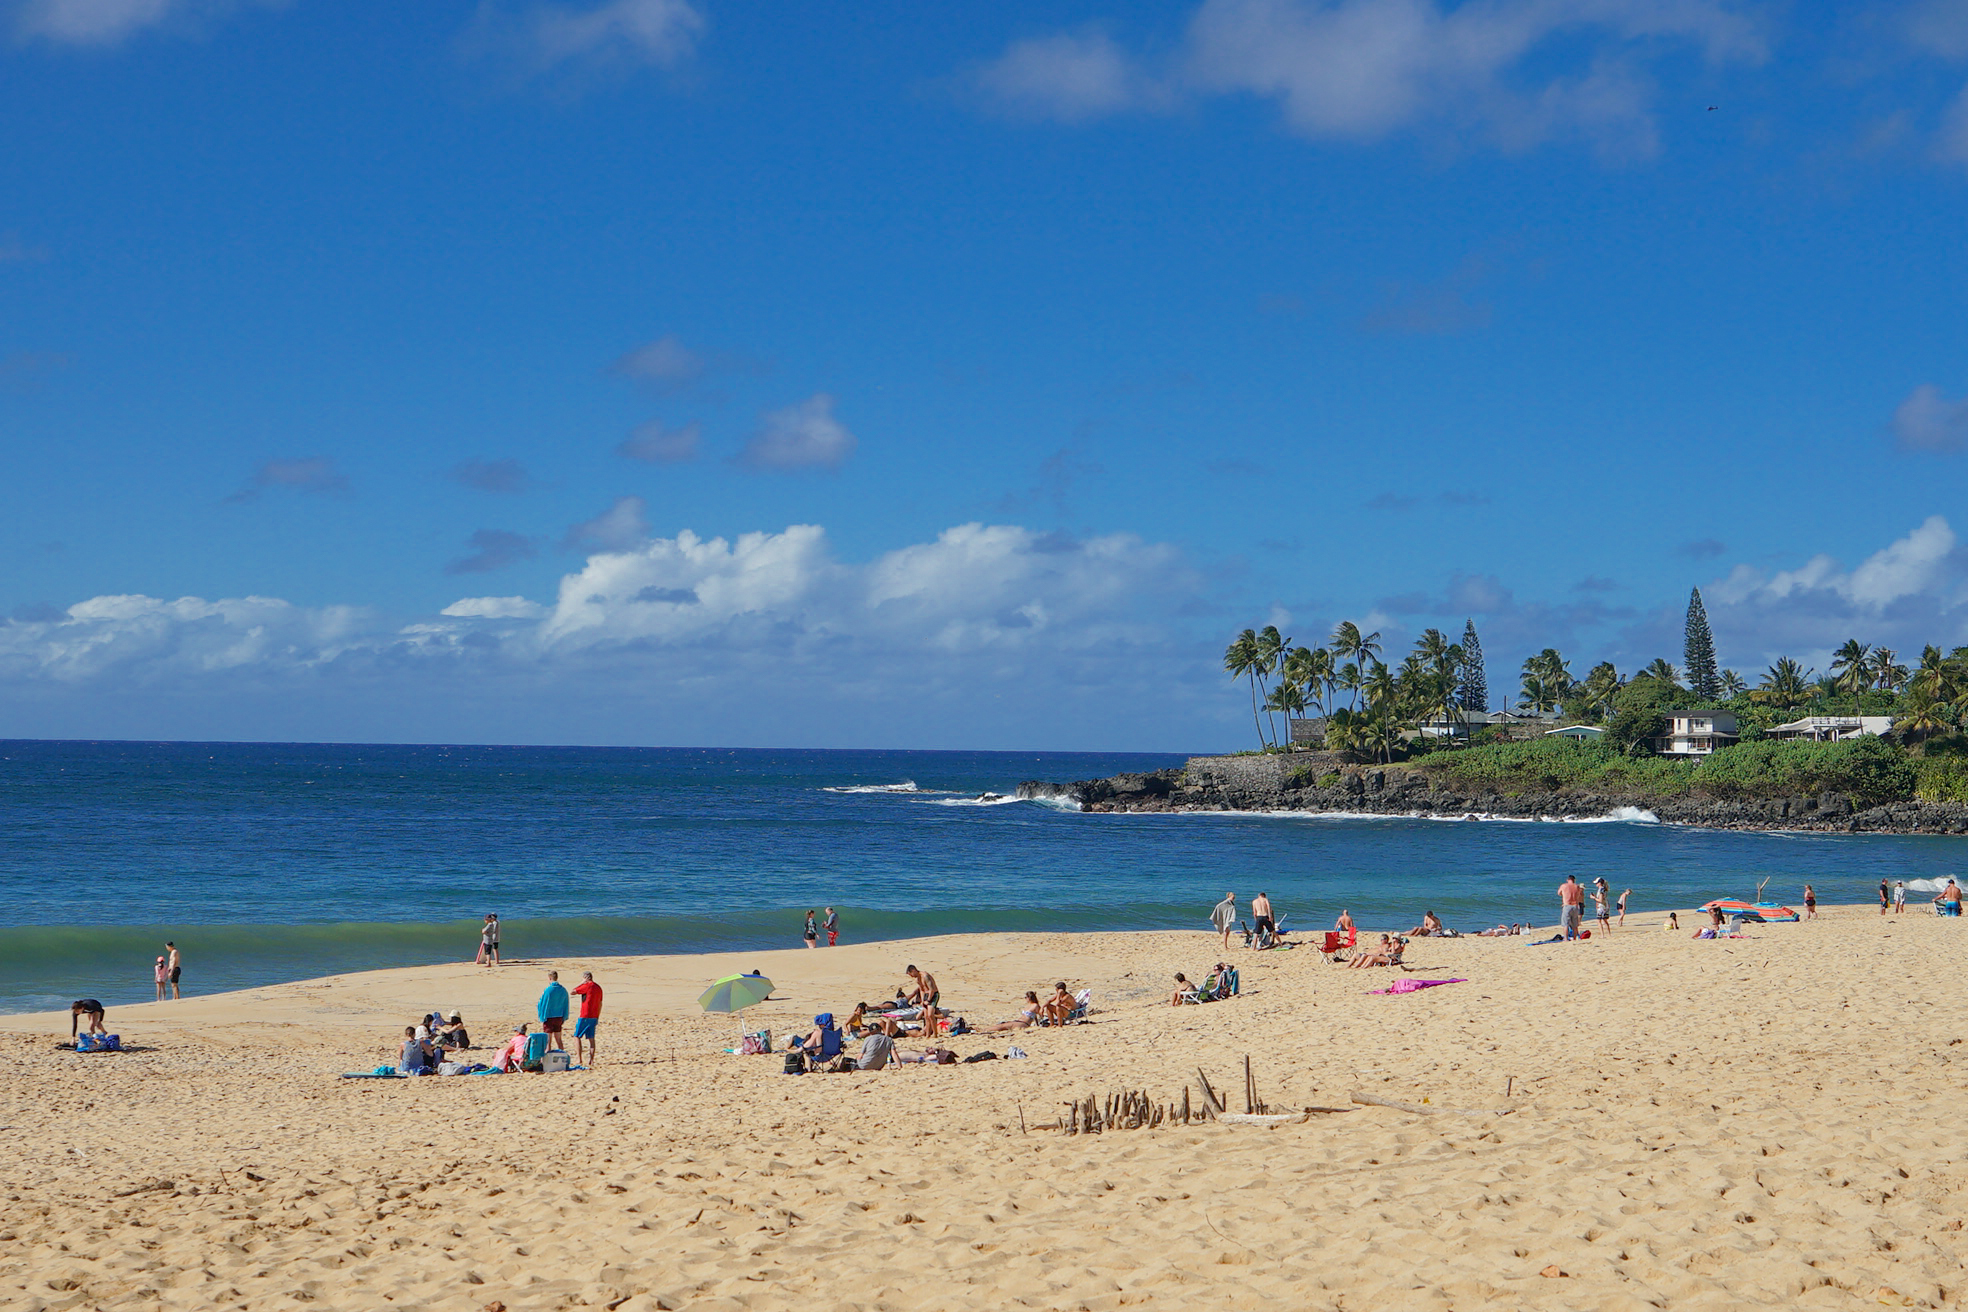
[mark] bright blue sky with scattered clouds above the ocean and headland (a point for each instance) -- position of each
(749, 377)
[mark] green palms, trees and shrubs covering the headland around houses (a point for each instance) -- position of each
(1414, 711)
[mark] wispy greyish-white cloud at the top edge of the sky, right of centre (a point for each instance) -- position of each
(1522, 72)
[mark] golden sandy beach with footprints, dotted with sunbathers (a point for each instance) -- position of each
(1670, 1124)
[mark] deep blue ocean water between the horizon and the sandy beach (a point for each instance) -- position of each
(275, 863)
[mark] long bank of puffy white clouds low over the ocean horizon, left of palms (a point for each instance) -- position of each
(690, 630)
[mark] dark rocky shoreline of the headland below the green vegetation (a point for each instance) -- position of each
(1318, 782)
